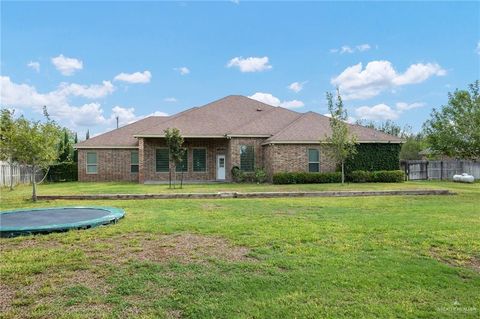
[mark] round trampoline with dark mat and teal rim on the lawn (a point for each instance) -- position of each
(56, 219)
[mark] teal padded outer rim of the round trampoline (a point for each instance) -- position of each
(112, 218)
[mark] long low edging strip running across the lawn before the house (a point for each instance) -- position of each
(221, 195)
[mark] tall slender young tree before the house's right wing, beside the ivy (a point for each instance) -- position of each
(342, 143)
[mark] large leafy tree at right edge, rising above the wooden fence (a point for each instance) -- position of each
(454, 130)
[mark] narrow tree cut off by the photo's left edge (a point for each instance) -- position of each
(7, 140)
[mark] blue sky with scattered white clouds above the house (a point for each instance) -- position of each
(91, 61)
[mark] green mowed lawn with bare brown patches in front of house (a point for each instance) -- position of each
(394, 256)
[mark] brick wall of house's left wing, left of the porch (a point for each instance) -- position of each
(112, 165)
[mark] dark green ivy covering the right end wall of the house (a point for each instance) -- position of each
(374, 157)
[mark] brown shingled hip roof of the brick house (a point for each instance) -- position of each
(232, 116)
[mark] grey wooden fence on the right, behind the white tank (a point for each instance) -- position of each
(442, 170)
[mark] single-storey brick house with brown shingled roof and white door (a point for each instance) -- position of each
(233, 131)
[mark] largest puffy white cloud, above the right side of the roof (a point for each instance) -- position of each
(358, 83)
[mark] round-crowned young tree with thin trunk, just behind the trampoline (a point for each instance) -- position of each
(37, 144)
